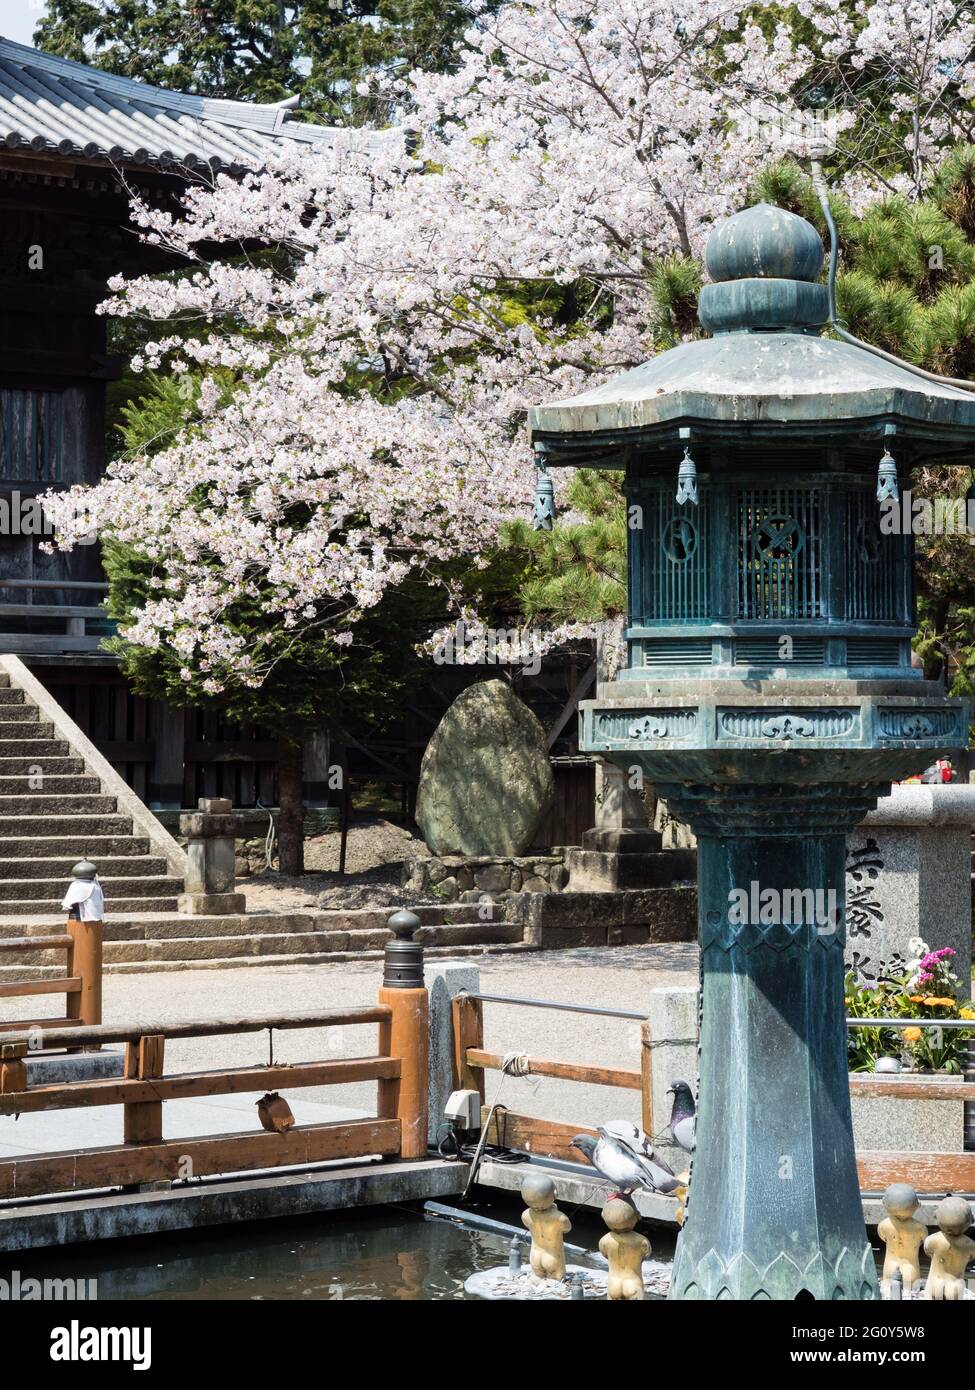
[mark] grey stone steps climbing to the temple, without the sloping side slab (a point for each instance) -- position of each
(55, 811)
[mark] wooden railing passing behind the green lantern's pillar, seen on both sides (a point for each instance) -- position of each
(551, 1139)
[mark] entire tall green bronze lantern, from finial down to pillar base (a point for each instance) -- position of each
(770, 697)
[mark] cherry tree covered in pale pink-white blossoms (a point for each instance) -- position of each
(366, 343)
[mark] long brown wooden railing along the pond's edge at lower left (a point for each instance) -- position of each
(398, 1128)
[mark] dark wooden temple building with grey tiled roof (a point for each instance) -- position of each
(76, 145)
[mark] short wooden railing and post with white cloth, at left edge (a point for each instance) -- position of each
(81, 983)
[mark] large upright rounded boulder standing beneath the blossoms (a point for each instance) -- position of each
(486, 780)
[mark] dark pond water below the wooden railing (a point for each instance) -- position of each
(380, 1253)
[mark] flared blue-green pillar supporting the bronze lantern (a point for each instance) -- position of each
(774, 1209)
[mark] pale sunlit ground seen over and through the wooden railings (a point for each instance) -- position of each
(618, 978)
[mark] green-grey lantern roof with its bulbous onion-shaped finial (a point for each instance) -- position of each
(766, 368)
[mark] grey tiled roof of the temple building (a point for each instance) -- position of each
(55, 106)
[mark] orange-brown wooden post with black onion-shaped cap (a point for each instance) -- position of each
(405, 1036)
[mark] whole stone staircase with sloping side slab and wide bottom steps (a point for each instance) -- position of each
(61, 801)
